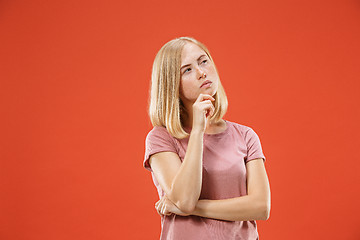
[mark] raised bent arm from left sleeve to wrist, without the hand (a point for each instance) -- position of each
(181, 182)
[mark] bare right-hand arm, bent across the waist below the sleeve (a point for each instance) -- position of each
(254, 206)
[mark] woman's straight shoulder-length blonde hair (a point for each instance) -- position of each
(165, 106)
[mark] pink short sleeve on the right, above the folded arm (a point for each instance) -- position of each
(253, 144)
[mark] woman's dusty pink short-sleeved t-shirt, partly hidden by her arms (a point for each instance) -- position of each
(224, 176)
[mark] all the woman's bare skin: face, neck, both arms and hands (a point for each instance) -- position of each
(181, 181)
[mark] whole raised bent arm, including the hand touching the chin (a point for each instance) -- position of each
(182, 182)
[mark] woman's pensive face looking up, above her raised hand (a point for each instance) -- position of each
(194, 64)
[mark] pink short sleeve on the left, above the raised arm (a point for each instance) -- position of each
(158, 140)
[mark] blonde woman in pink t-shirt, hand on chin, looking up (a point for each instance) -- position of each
(209, 172)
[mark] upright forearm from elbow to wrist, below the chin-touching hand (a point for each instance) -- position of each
(186, 186)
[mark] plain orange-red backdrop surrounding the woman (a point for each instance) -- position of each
(74, 86)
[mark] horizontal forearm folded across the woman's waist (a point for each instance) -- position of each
(243, 208)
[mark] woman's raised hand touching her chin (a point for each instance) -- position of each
(203, 109)
